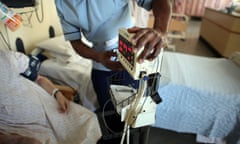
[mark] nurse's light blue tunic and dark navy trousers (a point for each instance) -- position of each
(99, 21)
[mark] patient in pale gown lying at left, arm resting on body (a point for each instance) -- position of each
(28, 109)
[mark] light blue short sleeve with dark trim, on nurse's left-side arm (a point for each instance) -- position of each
(70, 31)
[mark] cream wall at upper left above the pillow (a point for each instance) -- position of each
(32, 30)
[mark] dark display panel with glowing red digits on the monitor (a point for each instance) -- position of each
(125, 48)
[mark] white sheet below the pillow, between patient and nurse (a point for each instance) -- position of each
(75, 74)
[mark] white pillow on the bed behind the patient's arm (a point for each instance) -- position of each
(59, 48)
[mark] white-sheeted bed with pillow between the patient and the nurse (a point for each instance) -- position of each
(65, 67)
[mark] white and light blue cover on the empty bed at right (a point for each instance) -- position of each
(200, 95)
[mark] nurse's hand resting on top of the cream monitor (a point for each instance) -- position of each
(152, 41)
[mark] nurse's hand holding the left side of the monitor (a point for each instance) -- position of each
(107, 58)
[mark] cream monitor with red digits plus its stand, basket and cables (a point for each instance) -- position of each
(136, 107)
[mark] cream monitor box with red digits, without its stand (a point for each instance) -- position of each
(129, 59)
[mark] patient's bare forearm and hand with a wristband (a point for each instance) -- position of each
(49, 87)
